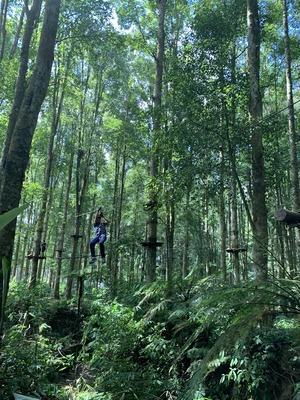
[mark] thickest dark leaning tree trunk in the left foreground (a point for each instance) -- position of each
(12, 171)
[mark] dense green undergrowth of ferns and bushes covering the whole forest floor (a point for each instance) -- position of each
(205, 341)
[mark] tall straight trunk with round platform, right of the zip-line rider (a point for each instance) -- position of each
(151, 238)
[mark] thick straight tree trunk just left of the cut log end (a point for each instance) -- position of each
(259, 210)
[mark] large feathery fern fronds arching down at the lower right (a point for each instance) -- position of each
(236, 310)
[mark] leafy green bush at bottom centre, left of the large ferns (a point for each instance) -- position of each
(130, 359)
